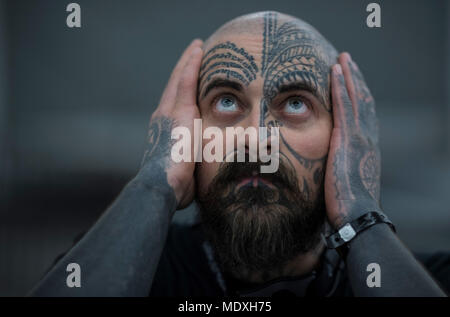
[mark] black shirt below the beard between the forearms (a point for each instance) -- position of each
(187, 268)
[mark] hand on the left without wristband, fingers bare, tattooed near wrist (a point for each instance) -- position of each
(178, 107)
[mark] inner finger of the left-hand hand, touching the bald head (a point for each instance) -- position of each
(187, 87)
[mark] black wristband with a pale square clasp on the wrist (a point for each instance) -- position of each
(346, 233)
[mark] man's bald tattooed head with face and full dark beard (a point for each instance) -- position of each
(266, 69)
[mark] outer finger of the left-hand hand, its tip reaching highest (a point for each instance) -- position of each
(170, 91)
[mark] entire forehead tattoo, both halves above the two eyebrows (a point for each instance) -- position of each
(293, 54)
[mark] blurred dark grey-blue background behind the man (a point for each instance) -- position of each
(75, 104)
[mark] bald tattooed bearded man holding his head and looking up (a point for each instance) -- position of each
(256, 234)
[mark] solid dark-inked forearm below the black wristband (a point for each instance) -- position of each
(400, 273)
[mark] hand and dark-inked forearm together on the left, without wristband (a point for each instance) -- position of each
(129, 239)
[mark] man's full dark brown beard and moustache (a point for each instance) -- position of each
(259, 229)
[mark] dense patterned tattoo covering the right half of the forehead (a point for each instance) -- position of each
(293, 53)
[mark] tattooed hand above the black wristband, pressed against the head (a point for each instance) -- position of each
(352, 180)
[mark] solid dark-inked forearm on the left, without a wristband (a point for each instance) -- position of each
(120, 254)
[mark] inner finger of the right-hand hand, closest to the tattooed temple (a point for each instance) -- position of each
(343, 116)
